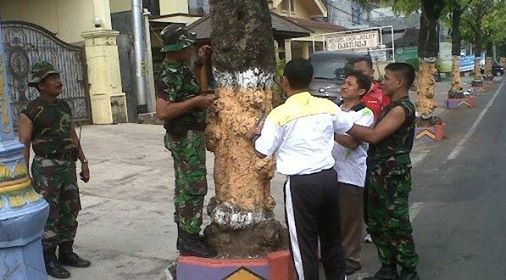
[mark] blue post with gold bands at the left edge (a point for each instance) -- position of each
(23, 212)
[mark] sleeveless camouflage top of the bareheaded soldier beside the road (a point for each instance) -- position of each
(393, 151)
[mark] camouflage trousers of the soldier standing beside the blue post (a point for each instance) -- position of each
(56, 181)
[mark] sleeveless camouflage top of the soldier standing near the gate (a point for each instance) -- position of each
(52, 125)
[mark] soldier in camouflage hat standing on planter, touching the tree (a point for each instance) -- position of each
(183, 108)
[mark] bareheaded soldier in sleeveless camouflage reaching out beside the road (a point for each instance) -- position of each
(389, 177)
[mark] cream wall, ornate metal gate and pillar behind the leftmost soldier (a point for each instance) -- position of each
(77, 37)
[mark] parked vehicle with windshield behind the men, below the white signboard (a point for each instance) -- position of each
(330, 68)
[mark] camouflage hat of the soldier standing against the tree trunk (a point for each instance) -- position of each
(176, 38)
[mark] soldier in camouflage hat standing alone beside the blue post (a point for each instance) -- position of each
(46, 125)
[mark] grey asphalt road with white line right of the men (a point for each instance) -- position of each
(458, 195)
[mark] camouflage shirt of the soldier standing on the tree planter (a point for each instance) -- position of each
(175, 82)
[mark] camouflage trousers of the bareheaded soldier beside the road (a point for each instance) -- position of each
(388, 216)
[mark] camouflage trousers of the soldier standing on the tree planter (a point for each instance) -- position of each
(189, 154)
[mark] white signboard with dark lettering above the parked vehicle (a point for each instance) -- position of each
(363, 40)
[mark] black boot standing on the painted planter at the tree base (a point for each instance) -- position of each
(192, 245)
